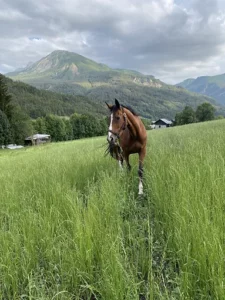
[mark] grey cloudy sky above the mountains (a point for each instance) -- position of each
(170, 39)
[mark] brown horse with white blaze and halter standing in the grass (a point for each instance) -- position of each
(127, 135)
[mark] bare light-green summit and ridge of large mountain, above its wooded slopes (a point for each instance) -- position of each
(63, 66)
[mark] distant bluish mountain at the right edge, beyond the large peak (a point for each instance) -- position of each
(212, 86)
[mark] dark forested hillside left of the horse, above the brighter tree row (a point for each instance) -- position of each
(37, 103)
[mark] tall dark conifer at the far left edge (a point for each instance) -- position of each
(5, 99)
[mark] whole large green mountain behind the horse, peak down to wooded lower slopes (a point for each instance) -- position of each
(69, 73)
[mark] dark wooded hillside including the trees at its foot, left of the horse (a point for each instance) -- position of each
(16, 125)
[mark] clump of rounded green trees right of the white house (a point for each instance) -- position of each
(204, 112)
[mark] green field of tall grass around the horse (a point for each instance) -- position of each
(74, 227)
